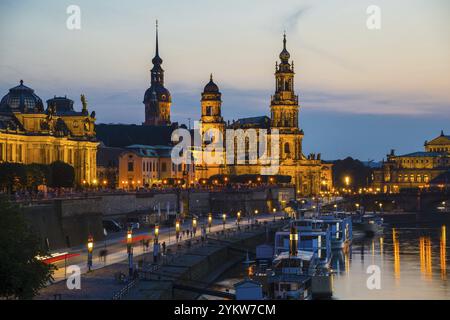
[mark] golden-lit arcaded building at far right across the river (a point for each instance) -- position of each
(414, 170)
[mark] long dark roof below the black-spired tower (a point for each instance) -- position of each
(122, 135)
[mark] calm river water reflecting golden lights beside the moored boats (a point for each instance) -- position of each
(410, 259)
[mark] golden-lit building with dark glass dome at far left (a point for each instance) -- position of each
(29, 133)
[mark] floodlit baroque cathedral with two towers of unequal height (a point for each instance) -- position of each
(309, 173)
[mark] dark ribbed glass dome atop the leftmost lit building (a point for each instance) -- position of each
(21, 99)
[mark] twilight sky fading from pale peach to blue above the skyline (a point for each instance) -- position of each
(362, 92)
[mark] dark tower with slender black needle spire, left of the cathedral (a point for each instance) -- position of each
(157, 99)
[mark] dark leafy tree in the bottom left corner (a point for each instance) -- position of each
(22, 275)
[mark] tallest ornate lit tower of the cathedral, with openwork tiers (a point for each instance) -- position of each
(284, 108)
